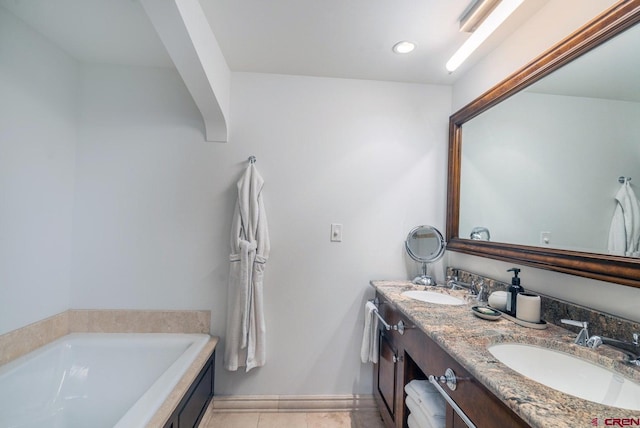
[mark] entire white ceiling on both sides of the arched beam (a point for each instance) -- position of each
(329, 38)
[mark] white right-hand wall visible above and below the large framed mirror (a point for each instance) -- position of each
(555, 21)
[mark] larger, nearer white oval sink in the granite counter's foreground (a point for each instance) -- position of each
(569, 374)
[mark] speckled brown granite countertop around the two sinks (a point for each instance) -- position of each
(466, 338)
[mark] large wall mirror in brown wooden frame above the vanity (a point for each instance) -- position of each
(538, 160)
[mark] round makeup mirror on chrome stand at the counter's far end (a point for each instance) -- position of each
(425, 244)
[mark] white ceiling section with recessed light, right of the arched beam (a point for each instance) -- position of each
(352, 39)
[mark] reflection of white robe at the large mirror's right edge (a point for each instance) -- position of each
(625, 224)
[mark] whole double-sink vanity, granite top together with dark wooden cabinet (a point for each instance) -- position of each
(437, 337)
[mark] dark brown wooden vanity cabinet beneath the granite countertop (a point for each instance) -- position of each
(418, 356)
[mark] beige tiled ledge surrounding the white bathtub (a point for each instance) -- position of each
(24, 340)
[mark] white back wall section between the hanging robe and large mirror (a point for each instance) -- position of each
(368, 155)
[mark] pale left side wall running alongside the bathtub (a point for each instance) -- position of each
(38, 109)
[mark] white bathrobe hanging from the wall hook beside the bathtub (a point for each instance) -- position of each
(245, 337)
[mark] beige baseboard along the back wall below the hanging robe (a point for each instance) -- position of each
(293, 403)
